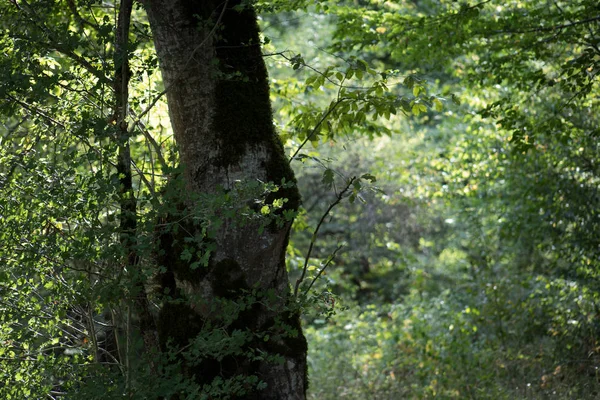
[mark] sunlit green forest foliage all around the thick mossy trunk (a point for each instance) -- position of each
(447, 155)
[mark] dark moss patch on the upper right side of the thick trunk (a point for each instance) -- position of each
(243, 117)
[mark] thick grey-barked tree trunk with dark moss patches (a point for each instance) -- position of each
(218, 97)
